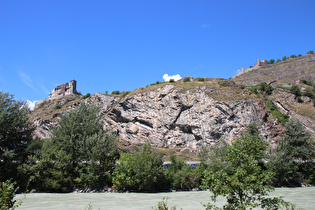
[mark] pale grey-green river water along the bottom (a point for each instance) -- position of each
(302, 197)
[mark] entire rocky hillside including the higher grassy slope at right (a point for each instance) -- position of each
(193, 112)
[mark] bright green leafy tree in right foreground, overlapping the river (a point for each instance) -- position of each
(246, 183)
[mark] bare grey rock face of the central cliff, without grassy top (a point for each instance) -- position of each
(168, 117)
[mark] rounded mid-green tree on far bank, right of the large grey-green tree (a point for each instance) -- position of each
(142, 171)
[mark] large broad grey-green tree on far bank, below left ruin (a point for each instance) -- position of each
(80, 153)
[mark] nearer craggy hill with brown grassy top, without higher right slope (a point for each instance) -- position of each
(174, 115)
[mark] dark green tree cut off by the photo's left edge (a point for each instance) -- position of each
(15, 136)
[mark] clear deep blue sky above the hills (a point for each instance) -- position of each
(109, 45)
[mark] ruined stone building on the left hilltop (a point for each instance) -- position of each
(64, 89)
